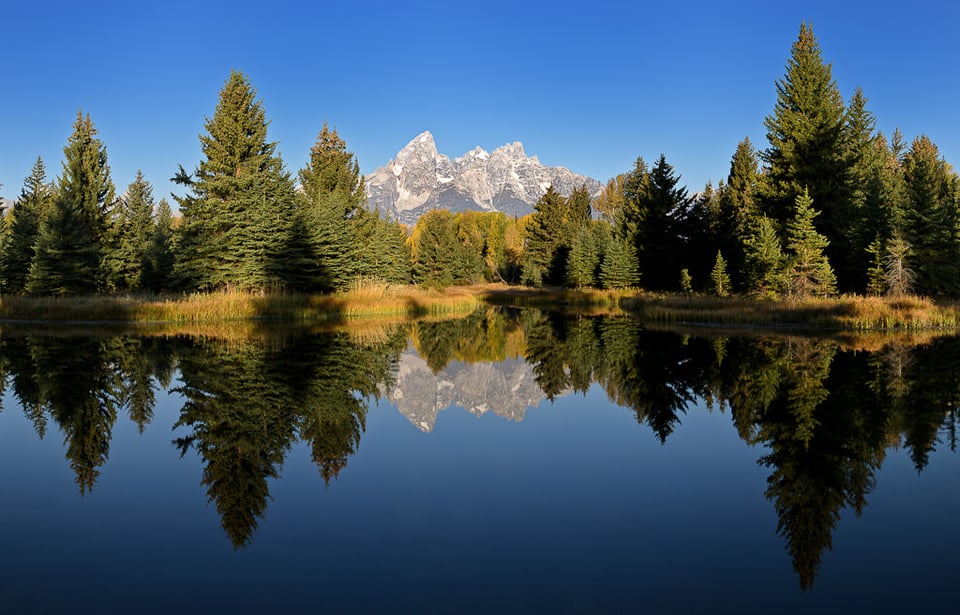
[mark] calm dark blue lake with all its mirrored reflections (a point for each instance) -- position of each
(509, 461)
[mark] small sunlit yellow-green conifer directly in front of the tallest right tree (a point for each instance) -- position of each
(809, 270)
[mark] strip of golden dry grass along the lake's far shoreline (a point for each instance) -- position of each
(382, 301)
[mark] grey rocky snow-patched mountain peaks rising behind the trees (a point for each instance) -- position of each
(420, 179)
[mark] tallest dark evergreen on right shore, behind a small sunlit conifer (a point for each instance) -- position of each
(806, 136)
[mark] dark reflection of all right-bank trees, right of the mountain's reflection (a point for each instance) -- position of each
(825, 416)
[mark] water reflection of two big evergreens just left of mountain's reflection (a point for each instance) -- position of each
(246, 403)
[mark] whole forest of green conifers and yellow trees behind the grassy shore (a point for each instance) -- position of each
(831, 205)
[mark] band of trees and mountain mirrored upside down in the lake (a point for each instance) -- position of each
(822, 413)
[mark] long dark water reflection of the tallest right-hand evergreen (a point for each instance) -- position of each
(824, 446)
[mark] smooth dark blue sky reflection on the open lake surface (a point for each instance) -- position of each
(577, 507)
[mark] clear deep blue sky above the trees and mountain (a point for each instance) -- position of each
(589, 85)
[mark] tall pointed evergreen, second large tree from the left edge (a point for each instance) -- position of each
(72, 233)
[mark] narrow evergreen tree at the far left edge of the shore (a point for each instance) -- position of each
(23, 226)
